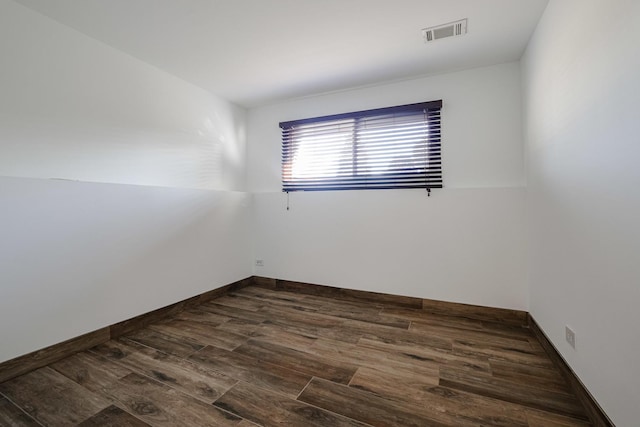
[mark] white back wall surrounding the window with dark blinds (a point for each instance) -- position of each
(465, 243)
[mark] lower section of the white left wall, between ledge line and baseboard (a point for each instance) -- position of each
(78, 256)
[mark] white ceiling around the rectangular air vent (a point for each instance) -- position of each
(254, 52)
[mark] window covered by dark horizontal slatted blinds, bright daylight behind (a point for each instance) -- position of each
(395, 147)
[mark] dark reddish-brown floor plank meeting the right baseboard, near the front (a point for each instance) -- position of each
(486, 385)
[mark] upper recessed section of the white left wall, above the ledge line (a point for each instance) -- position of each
(71, 107)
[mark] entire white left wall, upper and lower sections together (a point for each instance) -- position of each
(163, 217)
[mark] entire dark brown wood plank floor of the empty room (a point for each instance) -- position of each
(266, 357)
